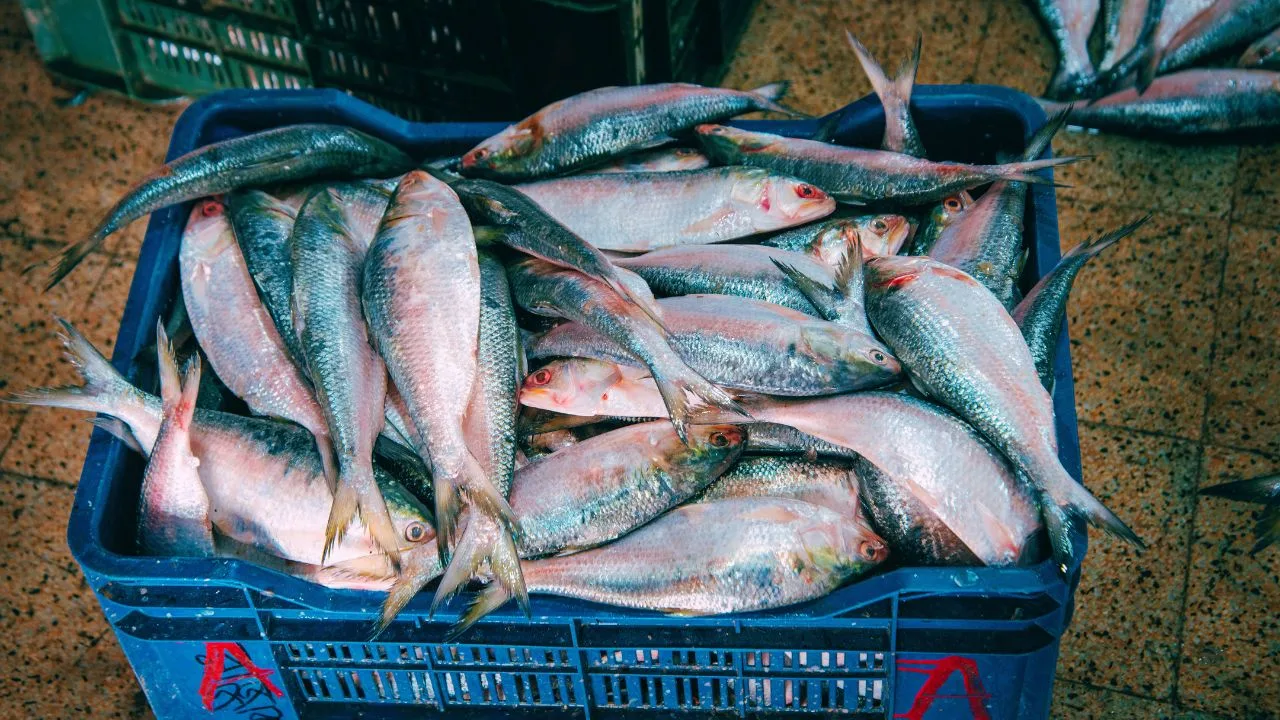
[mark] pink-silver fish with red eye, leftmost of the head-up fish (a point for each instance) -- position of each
(237, 334)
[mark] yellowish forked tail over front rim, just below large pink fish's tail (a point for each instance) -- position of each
(484, 543)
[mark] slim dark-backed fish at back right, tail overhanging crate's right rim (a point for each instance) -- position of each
(858, 176)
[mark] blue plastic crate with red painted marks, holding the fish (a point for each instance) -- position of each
(920, 644)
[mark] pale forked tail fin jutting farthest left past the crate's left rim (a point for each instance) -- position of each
(103, 390)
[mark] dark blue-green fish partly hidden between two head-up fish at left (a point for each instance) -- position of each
(263, 226)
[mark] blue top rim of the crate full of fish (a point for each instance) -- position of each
(100, 564)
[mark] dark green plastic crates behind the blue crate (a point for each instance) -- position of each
(420, 60)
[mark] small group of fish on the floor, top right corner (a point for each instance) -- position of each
(1163, 65)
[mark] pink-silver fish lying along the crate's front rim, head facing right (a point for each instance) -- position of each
(734, 555)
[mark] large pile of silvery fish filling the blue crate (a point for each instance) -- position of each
(579, 361)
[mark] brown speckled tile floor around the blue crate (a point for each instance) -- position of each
(1174, 335)
